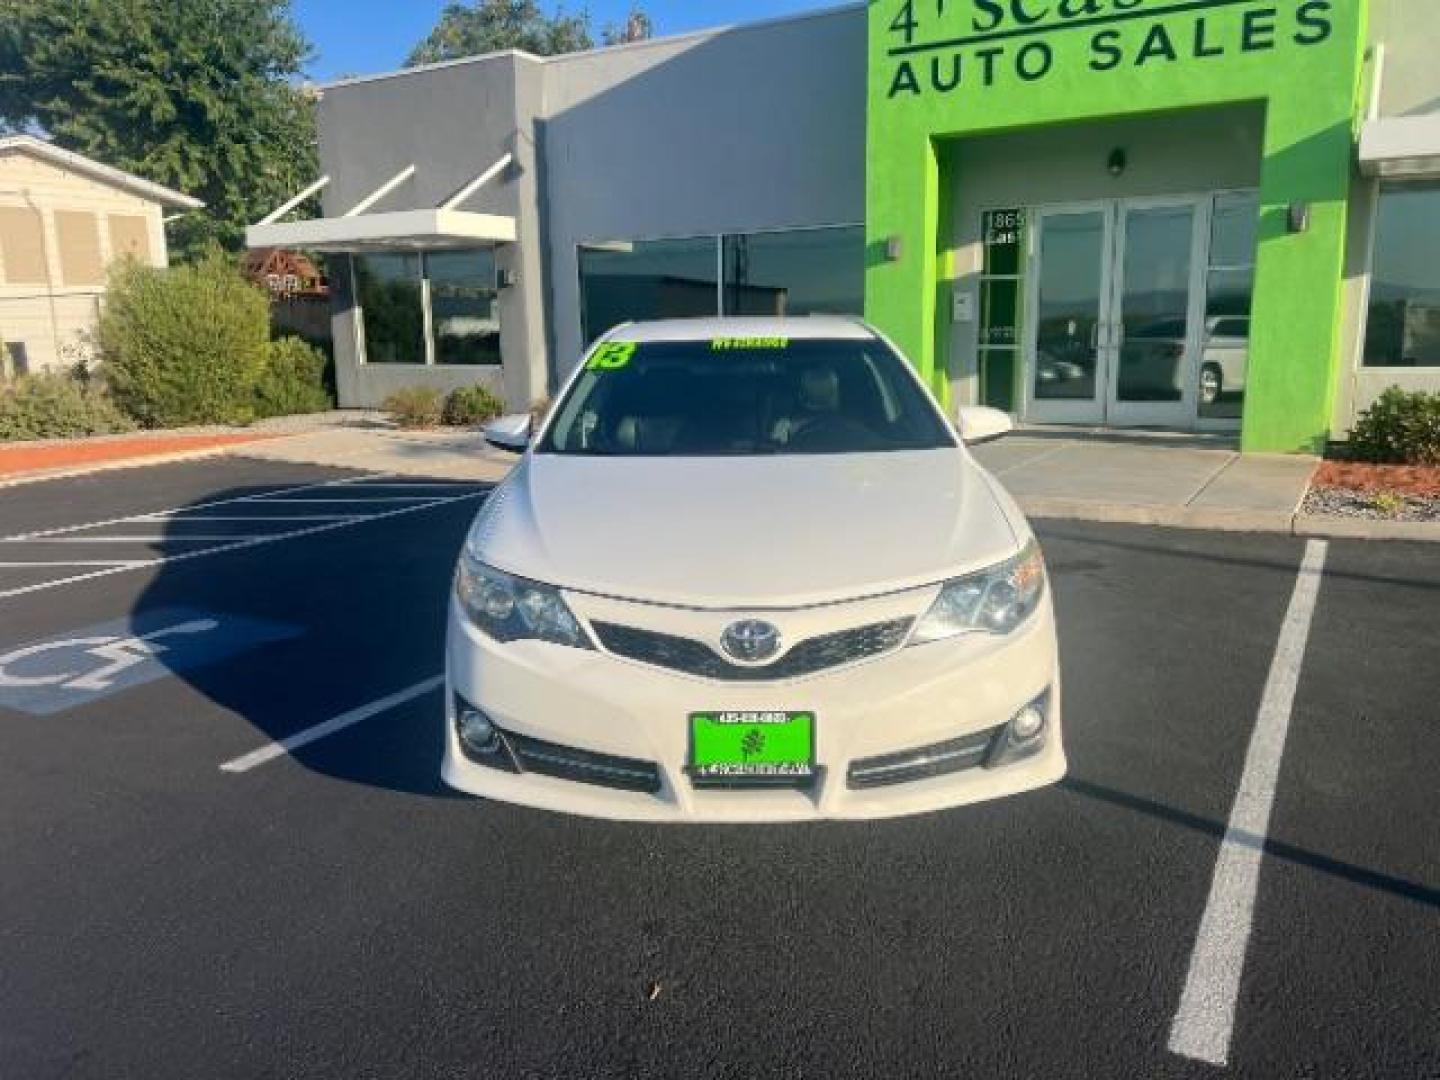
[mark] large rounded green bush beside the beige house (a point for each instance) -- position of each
(186, 345)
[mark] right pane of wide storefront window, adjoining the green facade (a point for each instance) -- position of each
(797, 273)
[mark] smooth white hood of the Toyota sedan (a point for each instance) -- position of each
(755, 532)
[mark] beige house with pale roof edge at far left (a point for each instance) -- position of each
(64, 218)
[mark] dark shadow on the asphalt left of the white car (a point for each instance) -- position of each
(316, 617)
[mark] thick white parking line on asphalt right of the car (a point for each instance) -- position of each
(1206, 1020)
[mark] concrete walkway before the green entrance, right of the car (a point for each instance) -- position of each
(1150, 479)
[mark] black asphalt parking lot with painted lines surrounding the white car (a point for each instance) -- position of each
(184, 898)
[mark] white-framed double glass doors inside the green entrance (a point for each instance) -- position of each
(1117, 294)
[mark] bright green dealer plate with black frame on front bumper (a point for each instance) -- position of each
(728, 748)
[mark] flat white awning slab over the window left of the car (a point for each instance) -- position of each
(398, 231)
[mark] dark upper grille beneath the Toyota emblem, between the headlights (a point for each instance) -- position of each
(698, 659)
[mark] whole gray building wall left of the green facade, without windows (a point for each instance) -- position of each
(755, 127)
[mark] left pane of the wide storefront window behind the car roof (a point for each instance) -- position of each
(624, 282)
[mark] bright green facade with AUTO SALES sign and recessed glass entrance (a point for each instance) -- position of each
(1182, 258)
